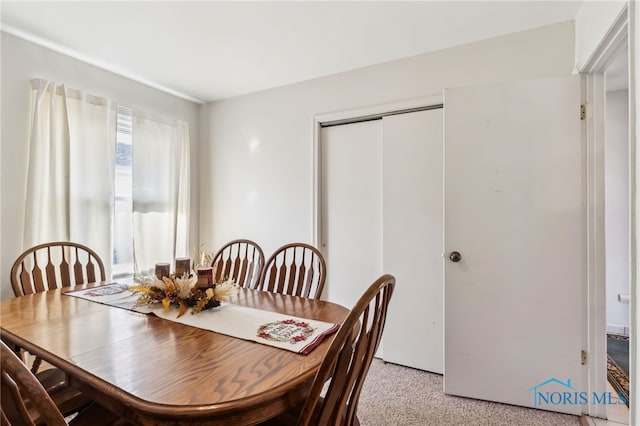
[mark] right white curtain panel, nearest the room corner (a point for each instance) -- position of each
(160, 191)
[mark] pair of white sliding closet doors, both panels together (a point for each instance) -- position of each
(382, 209)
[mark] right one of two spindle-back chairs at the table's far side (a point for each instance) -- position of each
(297, 269)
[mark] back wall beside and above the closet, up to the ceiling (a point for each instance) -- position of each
(257, 167)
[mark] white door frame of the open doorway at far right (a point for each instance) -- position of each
(595, 332)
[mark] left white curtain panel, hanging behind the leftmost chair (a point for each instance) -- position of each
(70, 171)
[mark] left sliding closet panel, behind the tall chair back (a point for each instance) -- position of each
(351, 209)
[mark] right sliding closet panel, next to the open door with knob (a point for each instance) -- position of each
(412, 238)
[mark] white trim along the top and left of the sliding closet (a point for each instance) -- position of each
(351, 115)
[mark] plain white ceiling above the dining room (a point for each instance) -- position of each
(206, 51)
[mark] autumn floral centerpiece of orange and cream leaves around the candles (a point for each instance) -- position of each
(183, 292)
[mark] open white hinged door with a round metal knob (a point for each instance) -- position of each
(515, 211)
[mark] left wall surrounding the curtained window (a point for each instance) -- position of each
(22, 61)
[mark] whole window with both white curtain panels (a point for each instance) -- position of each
(113, 178)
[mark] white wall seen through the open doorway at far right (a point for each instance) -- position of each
(617, 209)
